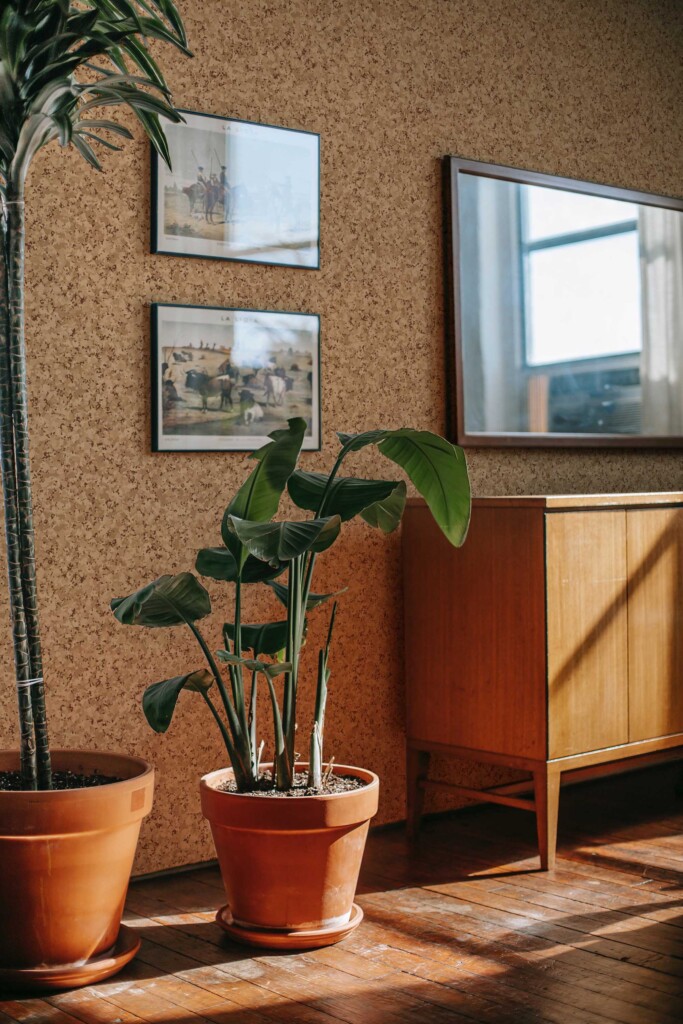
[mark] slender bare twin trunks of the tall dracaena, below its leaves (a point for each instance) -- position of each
(19, 507)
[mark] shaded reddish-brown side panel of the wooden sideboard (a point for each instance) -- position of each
(476, 660)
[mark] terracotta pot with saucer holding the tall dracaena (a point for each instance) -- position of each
(66, 859)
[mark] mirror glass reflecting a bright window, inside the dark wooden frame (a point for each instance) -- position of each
(570, 312)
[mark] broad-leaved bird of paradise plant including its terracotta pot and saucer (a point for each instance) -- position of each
(290, 866)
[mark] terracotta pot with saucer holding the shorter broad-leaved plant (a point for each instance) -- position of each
(290, 865)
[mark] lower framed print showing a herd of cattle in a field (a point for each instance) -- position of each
(224, 379)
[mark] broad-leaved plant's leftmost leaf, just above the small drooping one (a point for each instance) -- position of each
(166, 602)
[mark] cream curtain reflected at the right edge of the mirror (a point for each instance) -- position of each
(661, 239)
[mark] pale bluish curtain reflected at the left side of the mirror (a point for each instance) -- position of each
(491, 306)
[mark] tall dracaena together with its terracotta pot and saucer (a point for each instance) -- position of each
(69, 820)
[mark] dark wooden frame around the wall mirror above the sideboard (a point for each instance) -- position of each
(452, 167)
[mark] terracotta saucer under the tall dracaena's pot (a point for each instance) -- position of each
(44, 979)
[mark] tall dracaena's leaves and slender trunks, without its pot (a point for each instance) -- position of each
(62, 64)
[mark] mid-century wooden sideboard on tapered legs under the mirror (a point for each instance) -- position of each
(551, 643)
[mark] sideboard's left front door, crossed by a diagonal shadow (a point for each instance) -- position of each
(586, 581)
